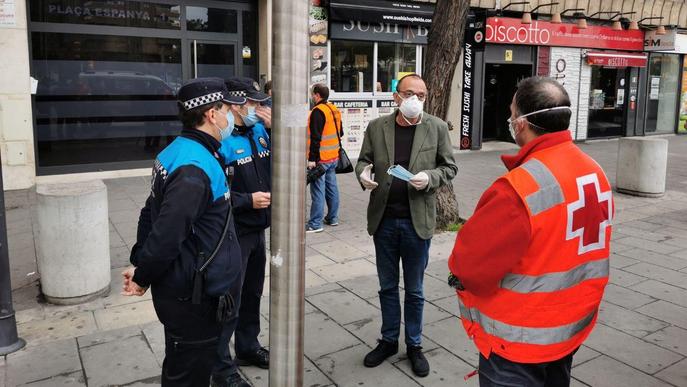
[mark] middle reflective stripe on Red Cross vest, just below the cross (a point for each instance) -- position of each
(552, 282)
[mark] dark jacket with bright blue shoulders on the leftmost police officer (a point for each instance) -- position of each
(184, 215)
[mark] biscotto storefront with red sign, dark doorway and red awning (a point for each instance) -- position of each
(599, 68)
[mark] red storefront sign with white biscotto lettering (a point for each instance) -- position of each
(542, 33)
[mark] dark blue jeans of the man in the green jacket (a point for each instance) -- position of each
(395, 240)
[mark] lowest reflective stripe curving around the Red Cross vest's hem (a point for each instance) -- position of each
(527, 335)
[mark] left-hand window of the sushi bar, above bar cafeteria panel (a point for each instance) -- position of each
(352, 66)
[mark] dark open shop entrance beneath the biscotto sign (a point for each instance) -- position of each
(500, 82)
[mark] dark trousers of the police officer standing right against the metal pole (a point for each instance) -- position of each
(245, 326)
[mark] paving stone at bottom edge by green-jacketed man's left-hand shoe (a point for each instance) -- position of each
(344, 369)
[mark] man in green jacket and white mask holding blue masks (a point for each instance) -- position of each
(401, 215)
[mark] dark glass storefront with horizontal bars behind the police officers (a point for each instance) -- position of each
(107, 73)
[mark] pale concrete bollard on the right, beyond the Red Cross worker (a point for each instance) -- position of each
(642, 163)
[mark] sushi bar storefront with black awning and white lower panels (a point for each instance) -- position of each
(365, 55)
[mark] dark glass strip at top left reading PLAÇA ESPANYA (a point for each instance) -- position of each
(108, 13)
